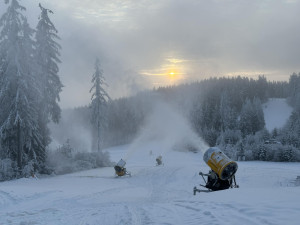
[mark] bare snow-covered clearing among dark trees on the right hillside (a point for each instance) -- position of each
(276, 112)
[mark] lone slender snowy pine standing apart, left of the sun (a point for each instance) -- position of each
(99, 99)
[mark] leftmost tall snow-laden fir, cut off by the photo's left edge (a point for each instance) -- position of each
(19, 131)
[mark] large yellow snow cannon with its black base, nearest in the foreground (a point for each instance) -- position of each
(222, 173)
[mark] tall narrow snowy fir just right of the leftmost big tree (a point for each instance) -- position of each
(47, 58)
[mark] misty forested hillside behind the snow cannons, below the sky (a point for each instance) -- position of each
(225, 112)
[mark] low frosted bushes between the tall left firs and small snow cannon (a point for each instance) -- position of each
(66, 160)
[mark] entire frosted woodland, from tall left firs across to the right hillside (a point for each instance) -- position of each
(225, 111)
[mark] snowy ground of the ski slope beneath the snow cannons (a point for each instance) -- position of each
(154, 194)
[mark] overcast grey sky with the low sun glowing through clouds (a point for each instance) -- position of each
(149, 43)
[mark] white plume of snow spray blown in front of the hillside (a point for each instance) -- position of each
(169, 130)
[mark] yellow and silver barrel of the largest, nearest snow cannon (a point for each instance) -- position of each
(220, 163)
